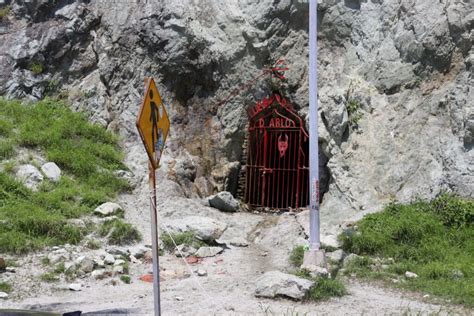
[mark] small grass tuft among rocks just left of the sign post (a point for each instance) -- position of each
(119, 232)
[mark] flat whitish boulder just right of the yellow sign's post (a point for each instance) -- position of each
(205, 228)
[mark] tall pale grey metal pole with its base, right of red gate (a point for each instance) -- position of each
(314, 256)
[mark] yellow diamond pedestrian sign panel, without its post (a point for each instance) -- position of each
(153, 123)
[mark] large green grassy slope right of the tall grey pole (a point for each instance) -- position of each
(432, 239)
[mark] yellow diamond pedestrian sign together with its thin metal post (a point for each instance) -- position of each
(153, 125)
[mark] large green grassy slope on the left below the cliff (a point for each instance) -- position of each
(88, 156)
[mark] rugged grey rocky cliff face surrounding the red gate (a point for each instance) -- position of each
(395, 84)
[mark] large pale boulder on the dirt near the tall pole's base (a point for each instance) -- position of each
(276, 283)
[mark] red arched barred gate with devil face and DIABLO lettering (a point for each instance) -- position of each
(277, 170)
